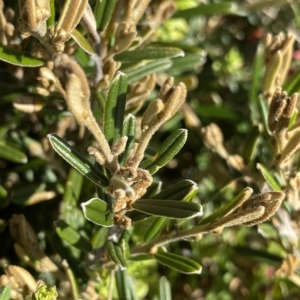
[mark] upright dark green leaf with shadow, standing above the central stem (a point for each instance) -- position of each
(115, 108)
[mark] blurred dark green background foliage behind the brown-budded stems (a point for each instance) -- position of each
(240, 263)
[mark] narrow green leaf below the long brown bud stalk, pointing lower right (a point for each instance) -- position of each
(178, 262)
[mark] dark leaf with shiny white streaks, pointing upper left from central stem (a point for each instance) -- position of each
(77, 160)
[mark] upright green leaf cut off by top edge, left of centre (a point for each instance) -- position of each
(104, 11)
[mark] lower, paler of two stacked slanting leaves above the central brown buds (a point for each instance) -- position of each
(140, 71)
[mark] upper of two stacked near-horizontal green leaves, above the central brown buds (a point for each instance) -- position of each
(148, 53)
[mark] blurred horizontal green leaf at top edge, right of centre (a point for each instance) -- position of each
(221, 8)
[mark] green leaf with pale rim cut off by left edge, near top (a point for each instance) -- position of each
(18, 58)
